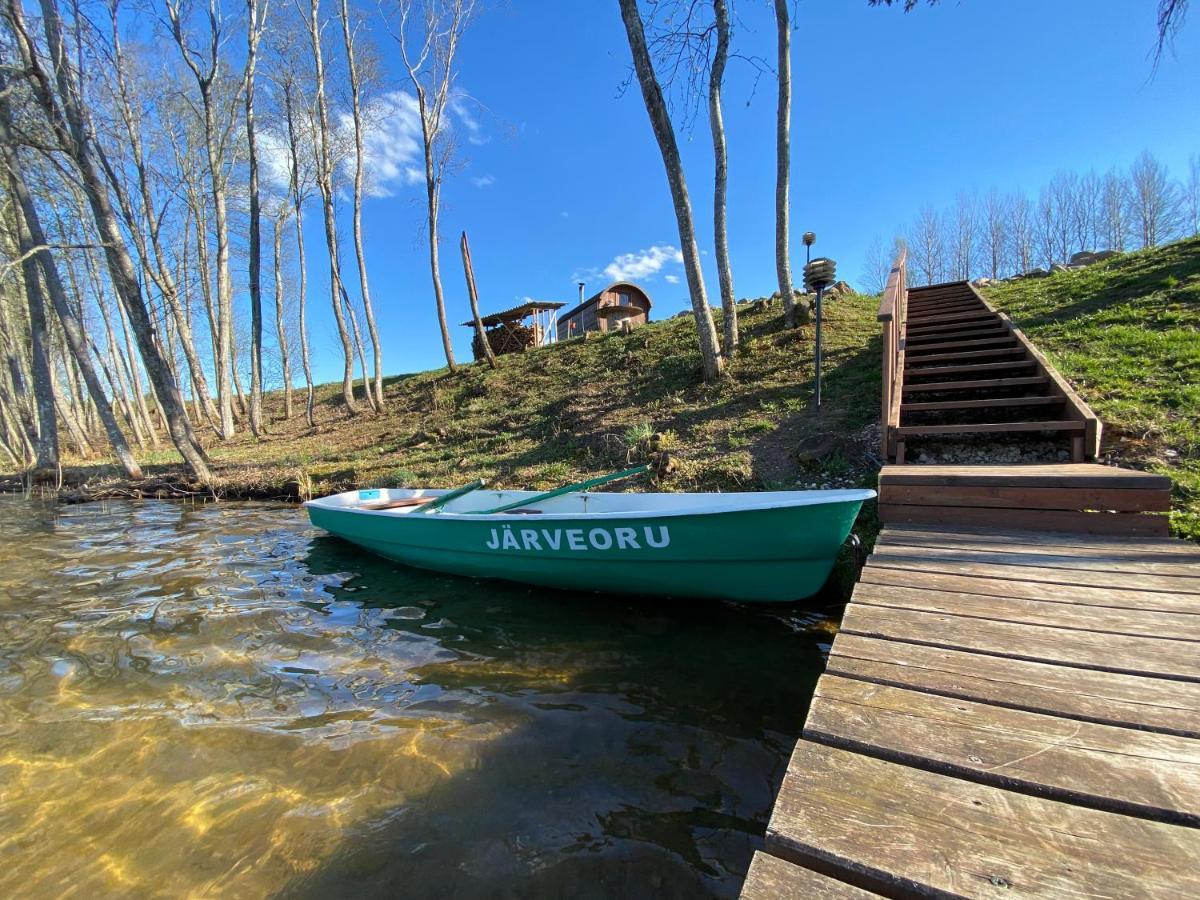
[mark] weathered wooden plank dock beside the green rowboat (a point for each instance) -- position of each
(1004, 715)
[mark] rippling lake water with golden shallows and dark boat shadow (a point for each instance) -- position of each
(220, 701)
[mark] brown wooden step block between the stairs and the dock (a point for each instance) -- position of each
(1083, 497)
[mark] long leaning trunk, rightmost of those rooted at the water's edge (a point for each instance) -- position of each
(62, 105)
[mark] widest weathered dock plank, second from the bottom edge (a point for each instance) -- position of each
(904, 831)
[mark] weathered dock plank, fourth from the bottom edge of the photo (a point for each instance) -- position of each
(1107, 698)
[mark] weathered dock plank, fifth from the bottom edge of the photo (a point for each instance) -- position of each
(1109, 653)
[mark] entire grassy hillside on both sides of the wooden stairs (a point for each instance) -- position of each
(1126, 333)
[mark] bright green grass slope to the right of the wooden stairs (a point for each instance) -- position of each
(1126, 334)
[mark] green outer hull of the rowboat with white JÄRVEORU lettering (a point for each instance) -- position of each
(782, 554)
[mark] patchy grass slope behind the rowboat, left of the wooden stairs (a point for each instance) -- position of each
(586, 407)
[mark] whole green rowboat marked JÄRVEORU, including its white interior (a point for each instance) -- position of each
(761, 547)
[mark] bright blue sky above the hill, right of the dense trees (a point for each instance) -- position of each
(562, 177)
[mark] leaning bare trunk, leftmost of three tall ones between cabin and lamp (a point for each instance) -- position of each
(661, 121)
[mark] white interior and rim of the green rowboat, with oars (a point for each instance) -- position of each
(403, 502)
